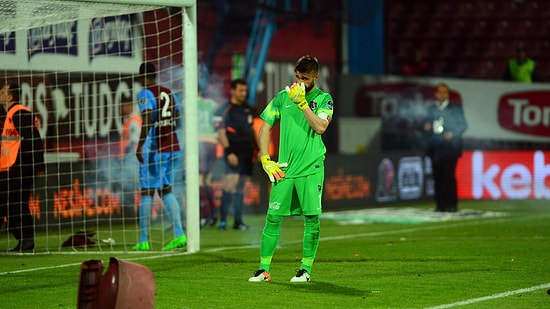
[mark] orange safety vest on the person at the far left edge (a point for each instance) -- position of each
(11, 139)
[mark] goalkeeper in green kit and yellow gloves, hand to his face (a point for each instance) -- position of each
(304, 113)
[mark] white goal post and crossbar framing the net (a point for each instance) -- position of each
(26, 14)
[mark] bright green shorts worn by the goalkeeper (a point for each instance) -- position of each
(297, 196)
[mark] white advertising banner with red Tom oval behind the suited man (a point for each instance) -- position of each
(494, 110)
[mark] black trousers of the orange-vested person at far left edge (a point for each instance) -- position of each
(15, 191)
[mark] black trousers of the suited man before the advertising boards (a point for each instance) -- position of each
(444, 168)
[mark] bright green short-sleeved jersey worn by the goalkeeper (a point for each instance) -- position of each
(300, 146)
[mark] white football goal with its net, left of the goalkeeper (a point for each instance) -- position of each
(76, 63)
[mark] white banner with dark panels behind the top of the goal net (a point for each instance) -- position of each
(103, 44)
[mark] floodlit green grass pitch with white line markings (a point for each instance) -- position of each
(501, 262)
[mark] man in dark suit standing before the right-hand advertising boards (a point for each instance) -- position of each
(444, 126)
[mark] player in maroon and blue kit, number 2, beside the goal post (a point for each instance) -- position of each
(158, 162)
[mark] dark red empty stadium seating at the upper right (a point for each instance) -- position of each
(470, 38)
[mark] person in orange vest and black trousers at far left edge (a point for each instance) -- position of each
(21, 159)
